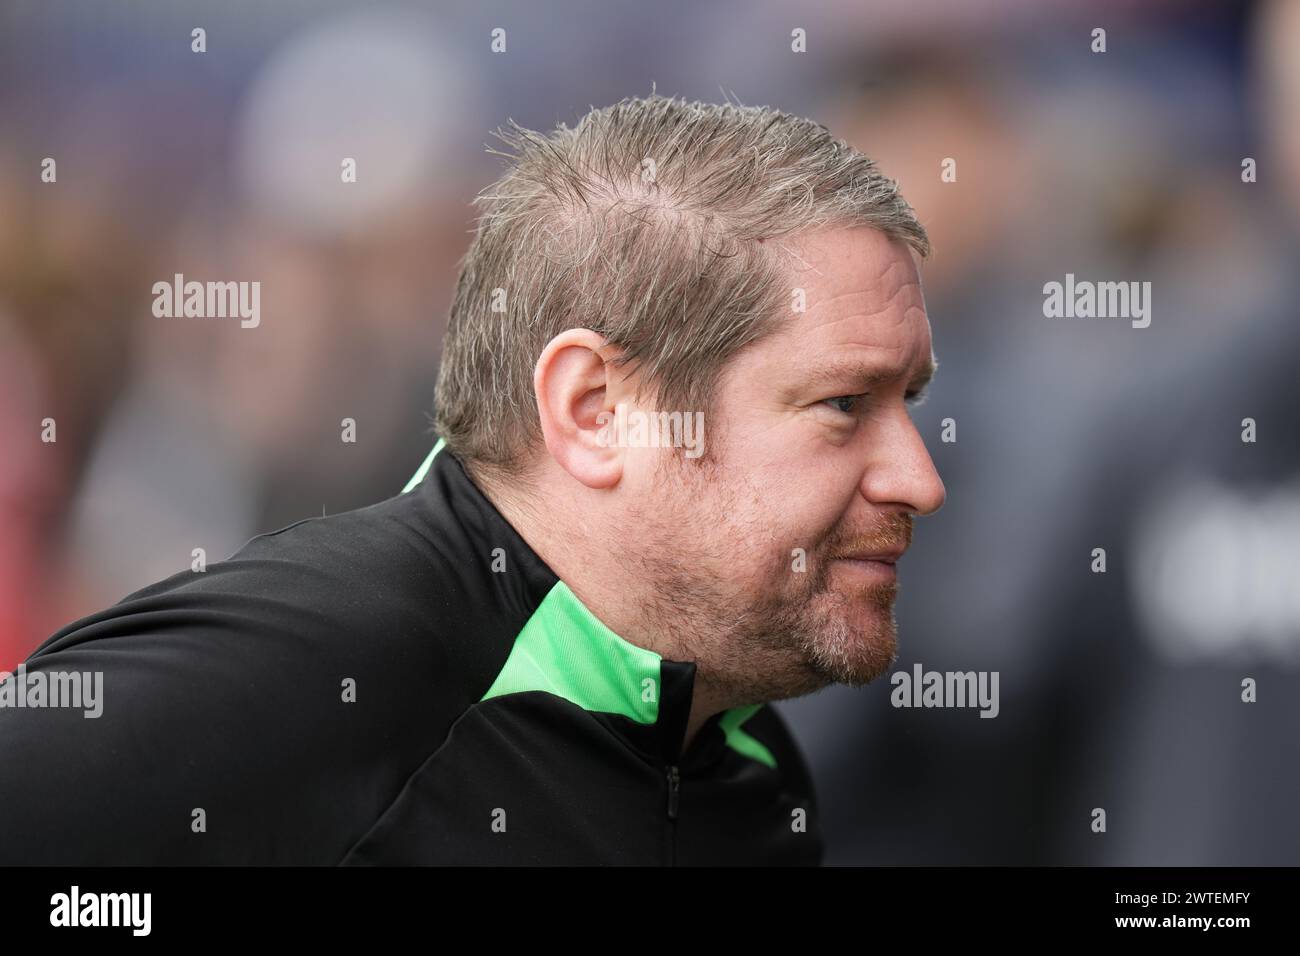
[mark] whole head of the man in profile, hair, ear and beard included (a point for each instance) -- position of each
(730, 262)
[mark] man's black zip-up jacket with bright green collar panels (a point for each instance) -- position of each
(406, 684)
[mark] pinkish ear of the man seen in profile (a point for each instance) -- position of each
(575, 400)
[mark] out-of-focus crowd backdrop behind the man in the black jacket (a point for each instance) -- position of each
(1119, 690)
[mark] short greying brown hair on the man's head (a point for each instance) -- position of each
(645, 224)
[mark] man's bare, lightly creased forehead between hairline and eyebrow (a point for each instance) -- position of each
(863, 300)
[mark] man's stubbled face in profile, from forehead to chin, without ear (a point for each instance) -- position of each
(770, 563)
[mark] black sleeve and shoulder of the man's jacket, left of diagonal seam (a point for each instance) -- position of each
(294, 687)
